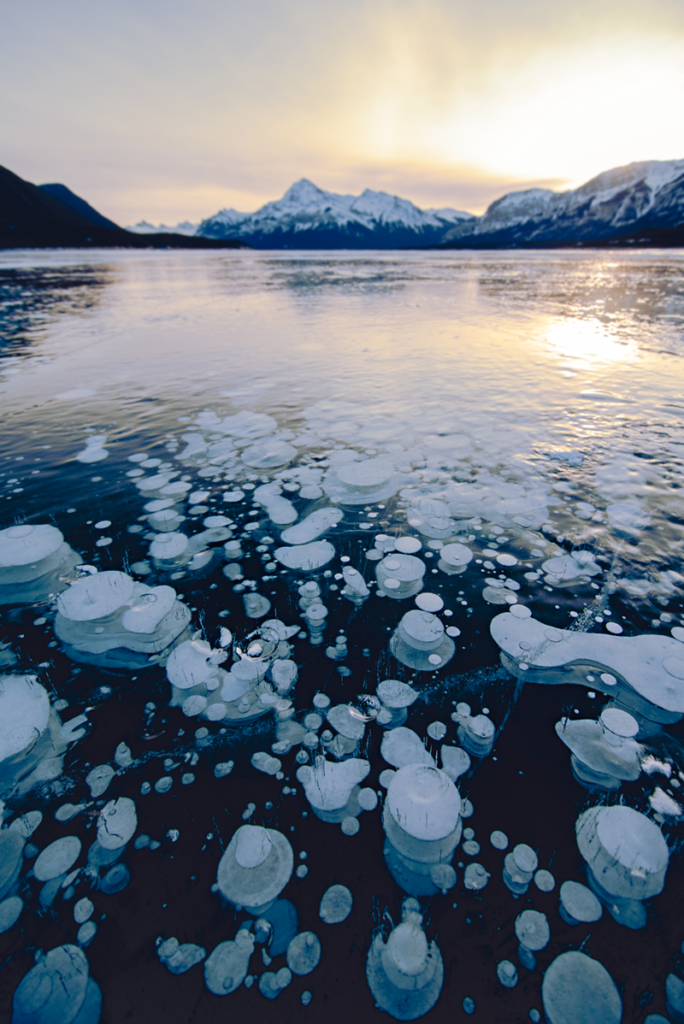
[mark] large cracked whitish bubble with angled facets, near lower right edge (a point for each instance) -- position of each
(625, 850)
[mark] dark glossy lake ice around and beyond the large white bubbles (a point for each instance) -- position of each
(519, 386)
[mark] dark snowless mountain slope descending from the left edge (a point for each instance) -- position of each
(33, 217)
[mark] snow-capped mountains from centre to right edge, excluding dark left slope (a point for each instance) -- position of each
(640, 204)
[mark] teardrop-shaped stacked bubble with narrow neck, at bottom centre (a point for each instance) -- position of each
(406, 973)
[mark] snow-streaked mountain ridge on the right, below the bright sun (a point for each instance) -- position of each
(626, 201)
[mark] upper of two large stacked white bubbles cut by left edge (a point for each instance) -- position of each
(35, 564)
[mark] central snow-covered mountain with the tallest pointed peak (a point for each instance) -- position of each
(309, 218)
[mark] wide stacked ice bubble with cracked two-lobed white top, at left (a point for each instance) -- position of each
(108, 619)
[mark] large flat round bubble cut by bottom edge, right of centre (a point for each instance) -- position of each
(577, 989)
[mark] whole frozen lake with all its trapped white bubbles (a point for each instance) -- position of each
(478, 437)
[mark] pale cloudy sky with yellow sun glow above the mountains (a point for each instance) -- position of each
(172, 110)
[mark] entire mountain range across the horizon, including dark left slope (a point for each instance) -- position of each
(642, 204)
